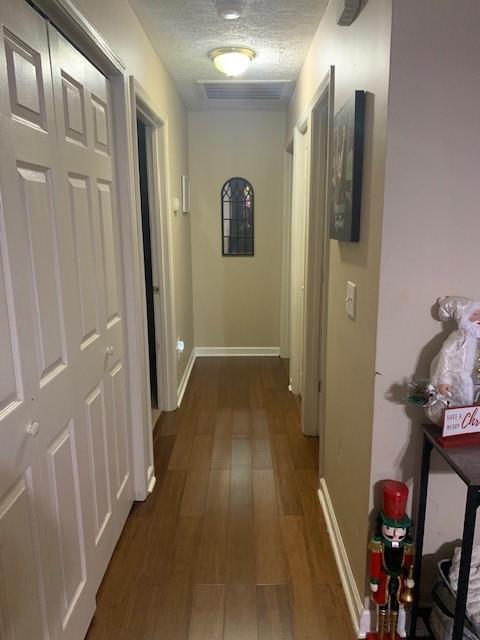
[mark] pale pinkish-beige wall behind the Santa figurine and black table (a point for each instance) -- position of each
(431, 230)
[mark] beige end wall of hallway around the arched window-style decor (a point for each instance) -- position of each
(236, 299)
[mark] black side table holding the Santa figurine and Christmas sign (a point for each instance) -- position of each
(465, 462)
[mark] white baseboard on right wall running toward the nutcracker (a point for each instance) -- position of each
(362, 616)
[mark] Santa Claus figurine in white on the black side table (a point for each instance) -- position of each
(455, 372)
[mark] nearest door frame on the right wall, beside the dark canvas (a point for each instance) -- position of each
(316, 265)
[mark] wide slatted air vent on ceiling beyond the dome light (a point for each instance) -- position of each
(228, 90)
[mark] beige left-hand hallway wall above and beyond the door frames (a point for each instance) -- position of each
(117, 23)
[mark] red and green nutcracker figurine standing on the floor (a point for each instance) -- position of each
(391, 565)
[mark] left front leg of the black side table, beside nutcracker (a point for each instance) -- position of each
(420, 529)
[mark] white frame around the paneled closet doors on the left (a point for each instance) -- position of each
(70, 20)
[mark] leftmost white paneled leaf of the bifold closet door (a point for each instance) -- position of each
(45, 591)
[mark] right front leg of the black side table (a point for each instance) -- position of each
(465, 561)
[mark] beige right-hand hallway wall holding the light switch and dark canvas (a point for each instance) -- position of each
(360, 54)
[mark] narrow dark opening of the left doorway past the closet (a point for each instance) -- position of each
(142, 131)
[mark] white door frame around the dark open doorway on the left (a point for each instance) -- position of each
(161, 240)
